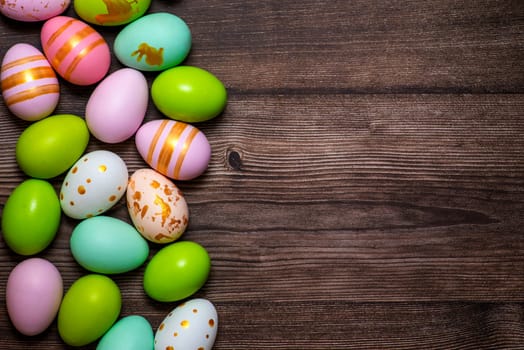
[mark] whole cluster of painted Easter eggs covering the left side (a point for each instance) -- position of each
(72, 50)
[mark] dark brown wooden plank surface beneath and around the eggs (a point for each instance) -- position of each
(366, 188)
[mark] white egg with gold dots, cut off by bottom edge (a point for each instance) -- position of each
(190, 326)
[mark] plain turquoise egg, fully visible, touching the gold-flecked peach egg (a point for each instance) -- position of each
(108, 245)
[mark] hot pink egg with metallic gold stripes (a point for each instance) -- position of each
(76, 51)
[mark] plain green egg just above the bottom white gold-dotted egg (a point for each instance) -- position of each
(177, 271)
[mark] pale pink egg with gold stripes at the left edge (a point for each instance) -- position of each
(29, 85)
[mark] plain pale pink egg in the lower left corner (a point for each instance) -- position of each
(33, 294)
